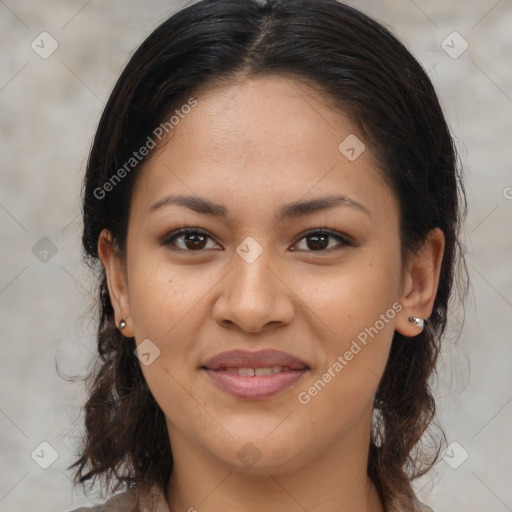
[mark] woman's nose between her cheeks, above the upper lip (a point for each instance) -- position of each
(253, 296)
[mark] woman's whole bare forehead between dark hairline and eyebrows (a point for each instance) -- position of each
(261, 138)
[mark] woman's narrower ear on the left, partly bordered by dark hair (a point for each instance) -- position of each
(116, 280)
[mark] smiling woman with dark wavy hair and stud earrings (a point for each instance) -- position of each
(274, 198)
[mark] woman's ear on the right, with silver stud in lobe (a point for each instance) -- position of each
(421, 281)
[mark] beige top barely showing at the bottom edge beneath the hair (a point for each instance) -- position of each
(154, 501)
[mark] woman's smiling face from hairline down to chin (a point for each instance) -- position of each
(320, 285)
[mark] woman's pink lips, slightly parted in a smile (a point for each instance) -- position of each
(258, 386)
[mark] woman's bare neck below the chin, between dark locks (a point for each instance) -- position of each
(335, 480)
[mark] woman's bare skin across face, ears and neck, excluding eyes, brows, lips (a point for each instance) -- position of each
(254, 146)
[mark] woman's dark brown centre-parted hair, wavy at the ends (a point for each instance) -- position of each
(357, 64)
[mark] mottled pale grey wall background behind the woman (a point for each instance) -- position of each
(49, 110)
